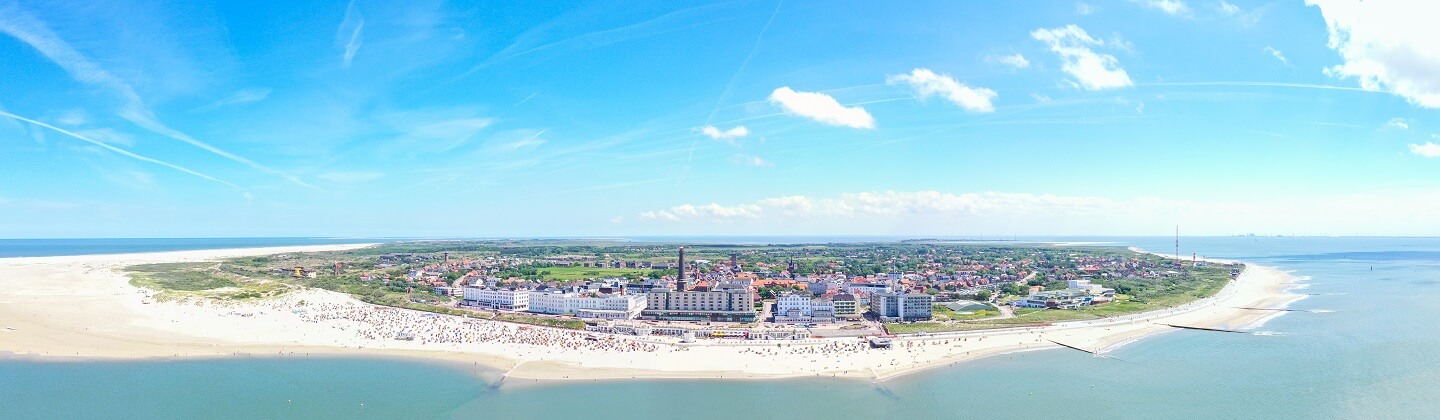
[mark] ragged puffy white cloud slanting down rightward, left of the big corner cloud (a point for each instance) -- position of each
(1091, 70)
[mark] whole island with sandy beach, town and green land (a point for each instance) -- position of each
(568, 310)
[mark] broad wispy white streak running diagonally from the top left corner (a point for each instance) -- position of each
(21, 25)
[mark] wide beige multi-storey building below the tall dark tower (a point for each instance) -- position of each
(722, 304)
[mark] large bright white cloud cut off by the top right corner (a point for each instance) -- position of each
(1387, 47)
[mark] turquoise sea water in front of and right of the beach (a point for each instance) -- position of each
(1369, 347)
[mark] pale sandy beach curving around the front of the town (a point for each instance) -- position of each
(83, 307)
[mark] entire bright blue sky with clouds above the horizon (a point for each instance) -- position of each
(437, 119)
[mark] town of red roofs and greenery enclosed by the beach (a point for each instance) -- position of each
(757, 293)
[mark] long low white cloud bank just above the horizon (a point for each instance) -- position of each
(938, 214)
